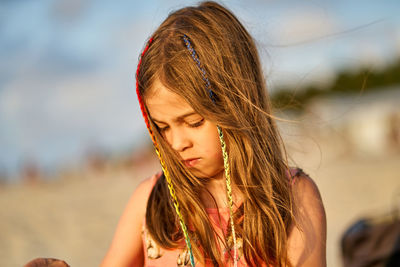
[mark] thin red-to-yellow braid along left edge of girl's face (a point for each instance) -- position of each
(162, 162)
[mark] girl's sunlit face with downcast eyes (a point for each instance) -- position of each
(194, 138)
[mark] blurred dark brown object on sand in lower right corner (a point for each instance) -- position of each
(372, 242)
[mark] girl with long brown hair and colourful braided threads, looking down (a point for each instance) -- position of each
(226, 196)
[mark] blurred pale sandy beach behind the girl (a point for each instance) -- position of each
(73, 218)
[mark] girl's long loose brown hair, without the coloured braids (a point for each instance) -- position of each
(242, 109)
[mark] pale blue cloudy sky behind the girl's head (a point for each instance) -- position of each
(67, 66)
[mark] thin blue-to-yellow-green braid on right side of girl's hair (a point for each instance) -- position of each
(223, 145)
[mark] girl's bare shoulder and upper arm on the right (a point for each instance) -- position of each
(307, 240)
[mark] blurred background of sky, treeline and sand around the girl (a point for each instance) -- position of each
(73, 145)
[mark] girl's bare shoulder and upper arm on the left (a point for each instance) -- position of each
(126, 248)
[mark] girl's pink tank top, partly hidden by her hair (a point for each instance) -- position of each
(156, 256)
